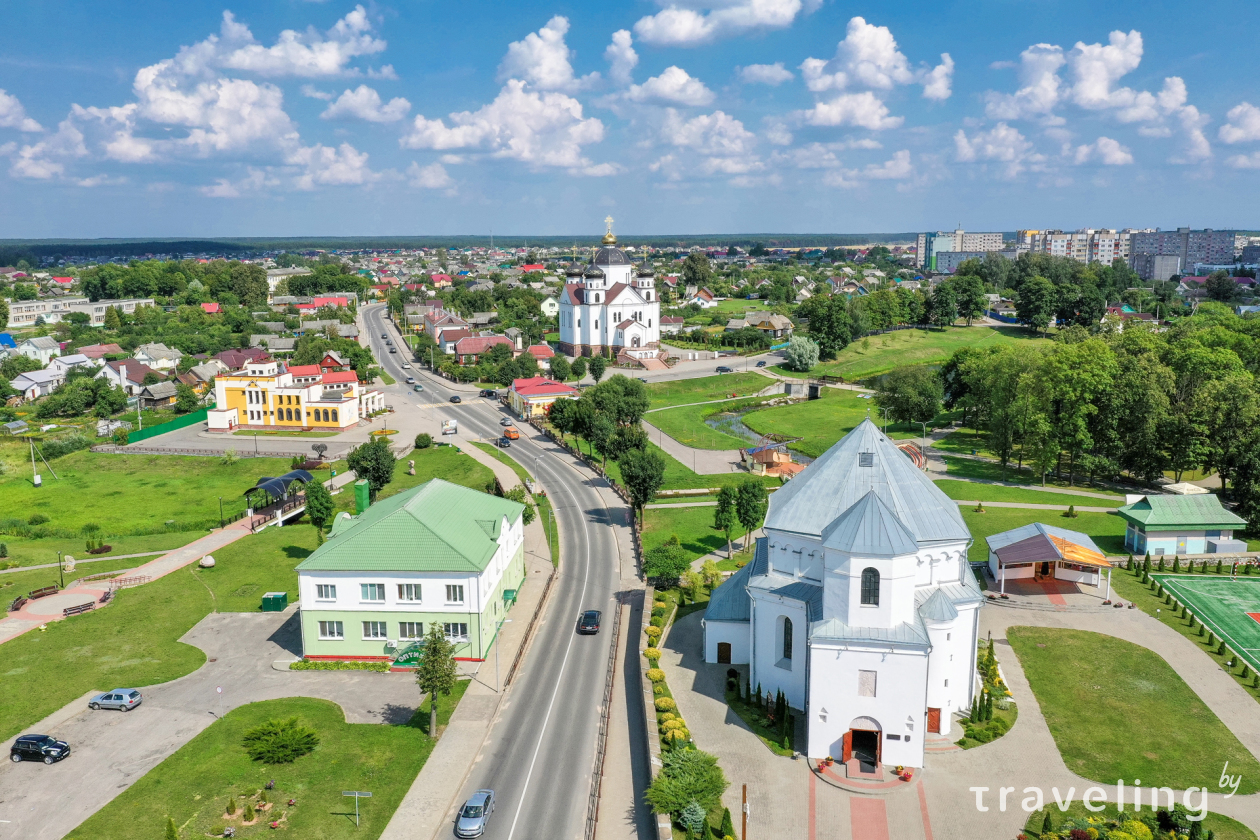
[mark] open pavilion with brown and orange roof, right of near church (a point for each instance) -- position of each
(1040, 552)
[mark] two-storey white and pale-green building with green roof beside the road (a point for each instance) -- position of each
(437, 553)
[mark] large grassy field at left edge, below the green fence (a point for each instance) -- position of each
(130, 494)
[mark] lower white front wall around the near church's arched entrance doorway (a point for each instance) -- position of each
(898, 706)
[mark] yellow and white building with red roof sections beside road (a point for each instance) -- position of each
(268, 396)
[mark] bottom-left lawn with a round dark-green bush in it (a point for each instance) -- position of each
(193, 785)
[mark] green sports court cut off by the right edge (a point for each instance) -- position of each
(1230, 609)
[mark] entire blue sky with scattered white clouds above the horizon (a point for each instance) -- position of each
(675, 116)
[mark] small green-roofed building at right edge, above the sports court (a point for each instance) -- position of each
(1181, 526)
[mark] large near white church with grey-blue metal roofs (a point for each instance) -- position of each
(859, 605)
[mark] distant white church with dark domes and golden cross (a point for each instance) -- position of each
(610, 305)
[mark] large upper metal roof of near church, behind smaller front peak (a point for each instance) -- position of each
(864, 462)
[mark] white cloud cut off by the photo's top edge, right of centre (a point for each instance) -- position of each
(687, 25)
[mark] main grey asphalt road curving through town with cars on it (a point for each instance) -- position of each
(540, 755)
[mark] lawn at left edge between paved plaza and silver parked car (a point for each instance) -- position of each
(129, 643)
